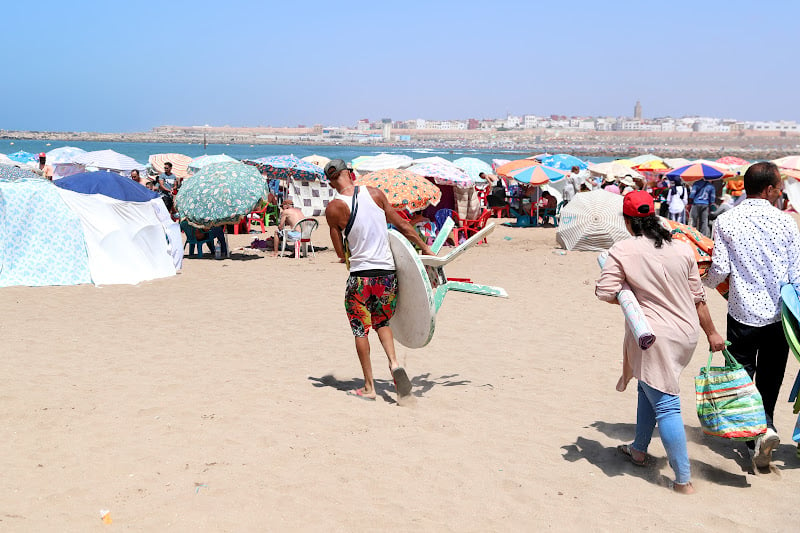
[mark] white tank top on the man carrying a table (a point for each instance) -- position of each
(369, 236)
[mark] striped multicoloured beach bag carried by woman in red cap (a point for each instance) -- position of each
(728, 403)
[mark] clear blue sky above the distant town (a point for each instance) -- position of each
(130, 66)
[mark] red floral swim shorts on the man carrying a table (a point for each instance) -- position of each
(370, 302)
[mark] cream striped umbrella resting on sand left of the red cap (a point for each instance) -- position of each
(592, 221)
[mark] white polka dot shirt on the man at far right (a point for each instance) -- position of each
(759, 246)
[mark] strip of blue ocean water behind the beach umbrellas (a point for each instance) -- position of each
(142, 151)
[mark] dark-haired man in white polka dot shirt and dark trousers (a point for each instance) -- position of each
(759, 247)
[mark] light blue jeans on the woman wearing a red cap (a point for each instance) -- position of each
(656, 406)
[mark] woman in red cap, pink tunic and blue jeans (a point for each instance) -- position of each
(663, 276)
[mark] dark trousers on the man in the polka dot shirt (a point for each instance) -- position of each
(763, 352)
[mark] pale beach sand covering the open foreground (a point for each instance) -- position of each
(215, 401)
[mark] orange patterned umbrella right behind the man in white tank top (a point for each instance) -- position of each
(404, 189)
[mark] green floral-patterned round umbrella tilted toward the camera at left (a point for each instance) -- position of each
(221, 193)
